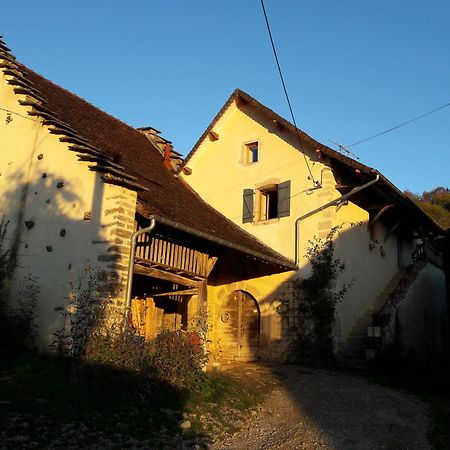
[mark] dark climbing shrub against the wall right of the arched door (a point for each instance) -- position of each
(315, 300)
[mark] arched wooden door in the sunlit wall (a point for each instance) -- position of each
(240, 325)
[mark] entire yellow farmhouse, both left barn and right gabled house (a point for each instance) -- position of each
(101, 214)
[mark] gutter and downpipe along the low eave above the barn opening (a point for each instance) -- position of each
(178, 226)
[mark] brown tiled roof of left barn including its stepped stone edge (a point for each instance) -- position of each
(126, 157)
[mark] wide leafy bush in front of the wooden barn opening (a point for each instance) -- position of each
(124, 360)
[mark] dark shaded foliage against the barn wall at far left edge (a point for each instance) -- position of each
(17, 328)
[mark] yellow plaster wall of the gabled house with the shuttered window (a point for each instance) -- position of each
(219, 175)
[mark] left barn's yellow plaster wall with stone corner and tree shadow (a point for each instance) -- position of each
(81, 227)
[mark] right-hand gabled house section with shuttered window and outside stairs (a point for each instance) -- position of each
(285, 188)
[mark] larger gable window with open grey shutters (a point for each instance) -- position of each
(268, 202)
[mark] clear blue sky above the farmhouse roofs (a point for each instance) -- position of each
(353, 68)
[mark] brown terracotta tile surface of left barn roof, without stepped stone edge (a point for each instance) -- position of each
(165, 195)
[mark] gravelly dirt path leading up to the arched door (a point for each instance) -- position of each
(311, 409)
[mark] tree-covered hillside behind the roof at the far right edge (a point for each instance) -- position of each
(436, 203)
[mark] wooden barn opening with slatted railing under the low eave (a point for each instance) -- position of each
(169, 280)
